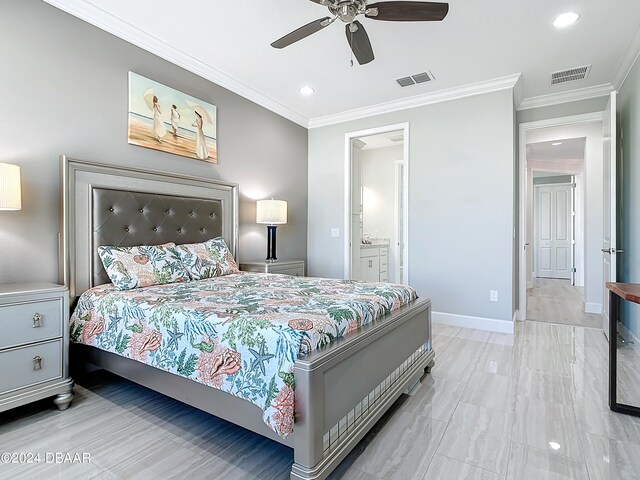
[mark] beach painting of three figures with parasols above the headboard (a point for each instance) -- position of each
(165, 119)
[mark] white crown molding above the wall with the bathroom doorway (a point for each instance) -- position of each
(501, 83)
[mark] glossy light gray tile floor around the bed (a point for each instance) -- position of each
(526, 406)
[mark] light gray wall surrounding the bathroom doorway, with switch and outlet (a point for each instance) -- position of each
(460, 207)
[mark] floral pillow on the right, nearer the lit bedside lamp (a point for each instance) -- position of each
(206, 260)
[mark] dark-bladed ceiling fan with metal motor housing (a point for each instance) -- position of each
(348, 10)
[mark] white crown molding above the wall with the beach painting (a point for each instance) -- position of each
(110, 23)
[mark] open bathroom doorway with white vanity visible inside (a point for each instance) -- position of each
(376, 214)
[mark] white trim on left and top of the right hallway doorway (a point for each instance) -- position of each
(523, 129)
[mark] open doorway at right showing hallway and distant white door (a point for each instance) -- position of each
(555, 223)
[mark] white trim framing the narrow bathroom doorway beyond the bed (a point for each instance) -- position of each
(348, 137)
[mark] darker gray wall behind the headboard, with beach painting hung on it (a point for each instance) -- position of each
(64, 91)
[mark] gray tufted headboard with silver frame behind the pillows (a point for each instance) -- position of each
(109, 205)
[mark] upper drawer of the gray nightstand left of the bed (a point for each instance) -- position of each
(22, 323)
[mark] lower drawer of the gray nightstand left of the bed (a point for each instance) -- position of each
(30, 365)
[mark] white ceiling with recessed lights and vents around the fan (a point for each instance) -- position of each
(229, 43)
